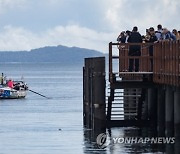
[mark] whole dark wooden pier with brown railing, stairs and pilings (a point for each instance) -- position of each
(149, 96)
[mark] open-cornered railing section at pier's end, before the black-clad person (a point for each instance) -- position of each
(119, 56)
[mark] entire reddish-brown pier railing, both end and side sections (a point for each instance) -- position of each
(164, 65)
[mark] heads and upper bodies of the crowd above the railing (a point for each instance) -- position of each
(152, 35)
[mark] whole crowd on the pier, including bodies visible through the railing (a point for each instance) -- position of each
(152, 36)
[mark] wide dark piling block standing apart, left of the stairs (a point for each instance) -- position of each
(94, 94)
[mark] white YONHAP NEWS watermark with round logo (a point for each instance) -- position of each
(103, 140)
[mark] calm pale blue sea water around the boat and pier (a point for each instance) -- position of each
(36, 125)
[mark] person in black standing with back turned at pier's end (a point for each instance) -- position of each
(134, 50)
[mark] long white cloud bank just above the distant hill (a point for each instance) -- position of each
(18, 38)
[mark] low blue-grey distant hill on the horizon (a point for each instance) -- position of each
(61, 54)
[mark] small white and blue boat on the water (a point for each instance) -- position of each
(18, 91)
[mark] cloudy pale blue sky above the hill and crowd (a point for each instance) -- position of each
(29, 24)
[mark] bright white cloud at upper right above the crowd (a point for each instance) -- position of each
(124, 14)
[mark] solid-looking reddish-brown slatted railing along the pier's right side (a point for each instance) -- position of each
(166, 68)
